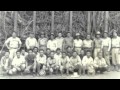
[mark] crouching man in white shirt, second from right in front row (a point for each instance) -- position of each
(87, 63)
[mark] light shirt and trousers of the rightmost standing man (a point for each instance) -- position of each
(115, 50)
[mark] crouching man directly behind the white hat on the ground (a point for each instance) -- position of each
(75, 63)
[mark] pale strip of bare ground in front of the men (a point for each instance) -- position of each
(106, 75)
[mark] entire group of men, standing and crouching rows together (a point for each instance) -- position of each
(61, 54)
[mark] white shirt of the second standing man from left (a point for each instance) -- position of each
(31, 43)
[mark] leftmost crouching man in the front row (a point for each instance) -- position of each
(6, 62)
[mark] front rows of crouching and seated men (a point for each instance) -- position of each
(39, 63)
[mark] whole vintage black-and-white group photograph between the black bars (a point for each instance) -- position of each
(59, 44)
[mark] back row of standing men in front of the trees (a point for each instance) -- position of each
(105, 44)
